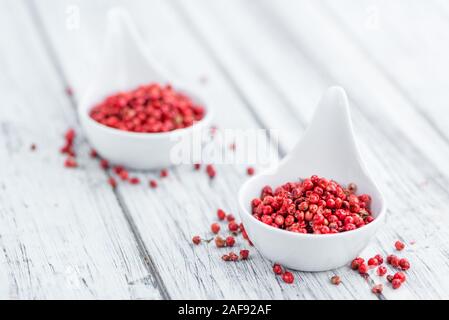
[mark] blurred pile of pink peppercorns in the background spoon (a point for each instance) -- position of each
(149, 108)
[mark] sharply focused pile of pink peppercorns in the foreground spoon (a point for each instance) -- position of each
(314, 205)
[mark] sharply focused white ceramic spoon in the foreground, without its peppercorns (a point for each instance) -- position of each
(327, 149)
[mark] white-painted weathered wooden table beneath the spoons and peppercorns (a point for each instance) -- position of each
(67, 234)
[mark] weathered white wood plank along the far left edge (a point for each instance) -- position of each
(62, 232)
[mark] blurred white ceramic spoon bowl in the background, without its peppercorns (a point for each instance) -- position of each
(125, 65)
